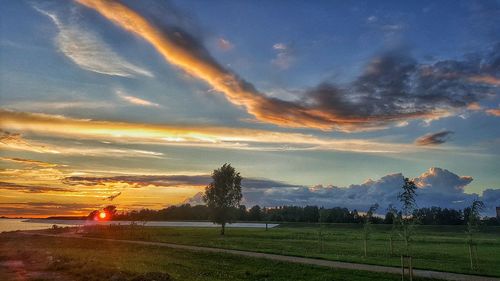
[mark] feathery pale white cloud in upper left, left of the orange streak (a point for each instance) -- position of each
(89, 52)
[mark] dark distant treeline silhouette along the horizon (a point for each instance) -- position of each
(308, 214)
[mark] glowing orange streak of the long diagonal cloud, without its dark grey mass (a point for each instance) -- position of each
(173, 47)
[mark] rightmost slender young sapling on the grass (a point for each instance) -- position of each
(472, 215)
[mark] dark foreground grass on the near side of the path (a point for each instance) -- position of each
(57, 258)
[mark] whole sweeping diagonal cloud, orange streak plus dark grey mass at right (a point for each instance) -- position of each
(393, 87)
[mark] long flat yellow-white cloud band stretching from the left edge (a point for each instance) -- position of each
(217, 137)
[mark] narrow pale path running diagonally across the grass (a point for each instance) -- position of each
(309, 261)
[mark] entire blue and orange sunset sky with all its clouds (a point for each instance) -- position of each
(328, 103)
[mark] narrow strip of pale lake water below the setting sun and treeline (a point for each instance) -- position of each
(35, 224)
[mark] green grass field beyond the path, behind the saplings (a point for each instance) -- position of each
(441, 248)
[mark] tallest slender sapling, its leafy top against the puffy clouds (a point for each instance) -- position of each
(407, 199)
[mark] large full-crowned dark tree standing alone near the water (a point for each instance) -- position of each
(223, 195)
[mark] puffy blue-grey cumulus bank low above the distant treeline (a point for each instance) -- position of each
(437, 187)
